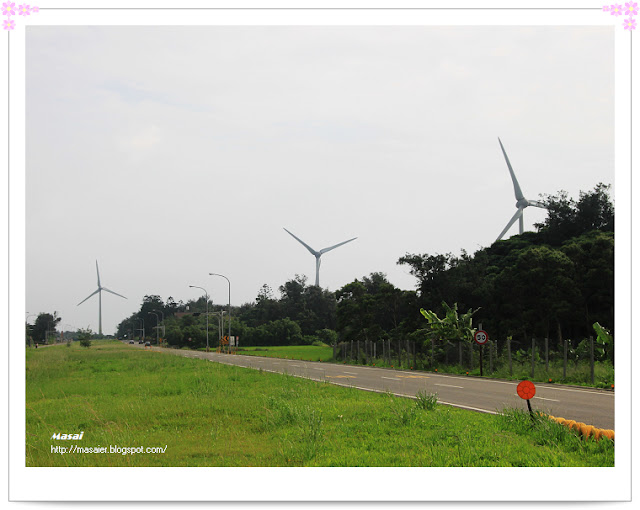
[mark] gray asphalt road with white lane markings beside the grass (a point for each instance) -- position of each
(591, 406)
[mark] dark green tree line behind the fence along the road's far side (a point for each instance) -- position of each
(553, 283)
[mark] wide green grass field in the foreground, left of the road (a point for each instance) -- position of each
(209, 414)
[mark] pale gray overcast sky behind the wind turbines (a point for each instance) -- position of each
(167, 153)
